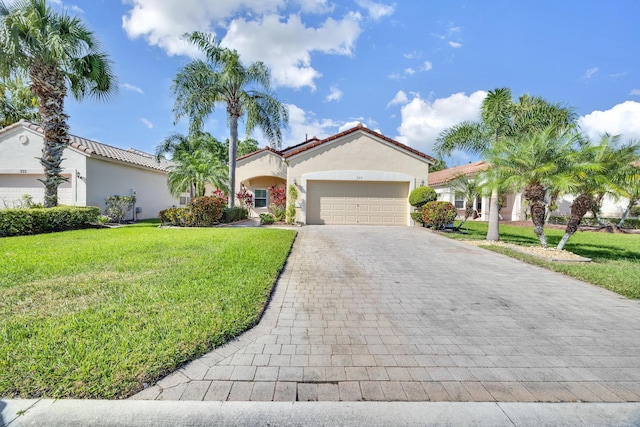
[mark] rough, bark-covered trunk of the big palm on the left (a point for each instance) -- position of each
(49, 86)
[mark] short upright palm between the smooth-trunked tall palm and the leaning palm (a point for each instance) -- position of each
(538, 163)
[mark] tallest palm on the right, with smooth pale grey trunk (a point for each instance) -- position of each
(501, 118)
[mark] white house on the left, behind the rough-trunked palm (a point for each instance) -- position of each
(94, 172)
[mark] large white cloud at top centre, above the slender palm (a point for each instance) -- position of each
(255, 28)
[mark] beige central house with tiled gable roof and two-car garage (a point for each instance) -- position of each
(355, 177)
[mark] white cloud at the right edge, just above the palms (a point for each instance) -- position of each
(623, 119)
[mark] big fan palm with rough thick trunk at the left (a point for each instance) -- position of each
(60, 54)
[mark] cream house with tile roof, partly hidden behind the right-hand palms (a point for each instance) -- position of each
(512, 206)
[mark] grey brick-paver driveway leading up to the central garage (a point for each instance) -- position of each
(382, 313)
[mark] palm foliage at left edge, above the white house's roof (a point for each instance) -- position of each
(16, 101)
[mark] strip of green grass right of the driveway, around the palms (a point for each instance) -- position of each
(616, 257)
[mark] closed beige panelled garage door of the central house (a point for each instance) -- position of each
(357, 202)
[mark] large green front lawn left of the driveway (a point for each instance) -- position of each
(97, 313)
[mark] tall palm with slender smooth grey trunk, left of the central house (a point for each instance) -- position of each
(245, 91)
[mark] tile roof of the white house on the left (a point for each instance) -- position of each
(131, 156)
